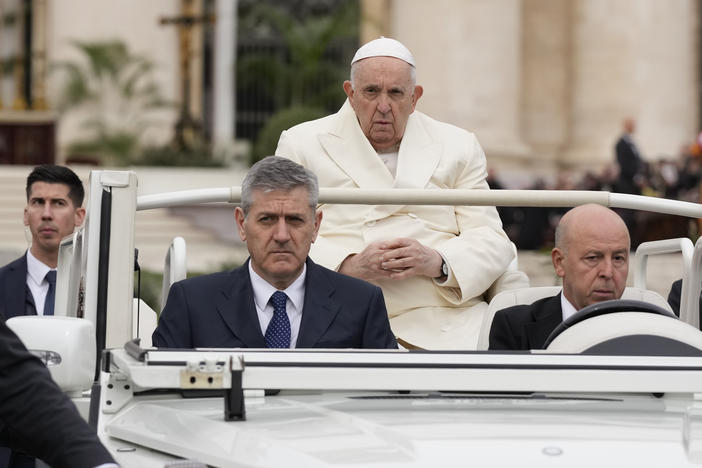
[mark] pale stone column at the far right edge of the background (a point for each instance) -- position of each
(631, 58)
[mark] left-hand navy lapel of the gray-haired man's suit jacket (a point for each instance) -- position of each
(235, 304)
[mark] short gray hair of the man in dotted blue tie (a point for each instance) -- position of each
(276, 173)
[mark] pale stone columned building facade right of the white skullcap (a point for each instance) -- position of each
(546, 84)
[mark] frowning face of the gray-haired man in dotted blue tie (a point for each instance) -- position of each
(279, 230)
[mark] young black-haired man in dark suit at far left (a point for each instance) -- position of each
(54, 198)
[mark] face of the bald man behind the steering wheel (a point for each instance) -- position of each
(595, 264)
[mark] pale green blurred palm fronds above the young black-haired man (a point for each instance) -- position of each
(116, 93)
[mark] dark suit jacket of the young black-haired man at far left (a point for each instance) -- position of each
(14, 293)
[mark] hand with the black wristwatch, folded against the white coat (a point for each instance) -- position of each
(405, 258)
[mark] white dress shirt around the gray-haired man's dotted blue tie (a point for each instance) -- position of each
(263, 290)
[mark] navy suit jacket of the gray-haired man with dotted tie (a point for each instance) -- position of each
(218, 311)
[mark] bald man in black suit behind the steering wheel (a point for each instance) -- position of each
(591, 255)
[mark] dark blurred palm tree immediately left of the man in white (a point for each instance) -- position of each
(304, 80)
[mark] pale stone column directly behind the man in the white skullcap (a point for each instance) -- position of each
(468, 58)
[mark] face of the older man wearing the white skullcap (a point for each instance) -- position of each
(383, 98)
